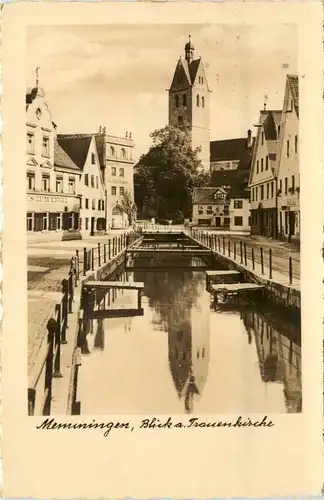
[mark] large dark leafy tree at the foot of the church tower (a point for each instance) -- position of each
(166, 175)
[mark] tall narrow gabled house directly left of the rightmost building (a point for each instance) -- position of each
(262, 181)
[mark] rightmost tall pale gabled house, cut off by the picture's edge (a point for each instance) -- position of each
(287, 167)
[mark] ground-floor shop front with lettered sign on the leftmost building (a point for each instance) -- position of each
(52, 212)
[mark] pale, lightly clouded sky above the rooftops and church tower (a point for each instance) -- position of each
(117, 75)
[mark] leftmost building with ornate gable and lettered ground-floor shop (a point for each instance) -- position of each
(53, 201)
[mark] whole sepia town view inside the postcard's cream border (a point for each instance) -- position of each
(163, 219)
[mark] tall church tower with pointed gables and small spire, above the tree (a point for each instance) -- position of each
(189, 102)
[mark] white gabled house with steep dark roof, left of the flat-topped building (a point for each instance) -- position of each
(82, 150)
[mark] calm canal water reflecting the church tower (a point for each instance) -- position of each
(184, 355)
